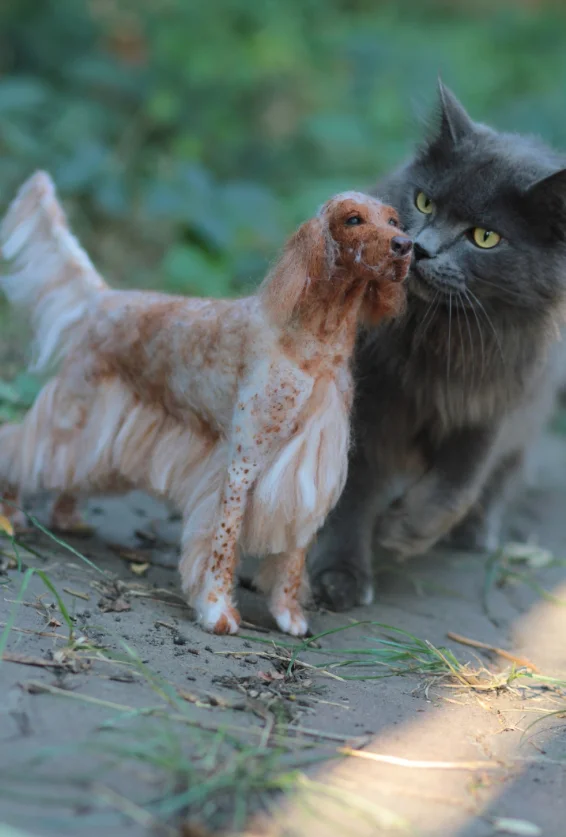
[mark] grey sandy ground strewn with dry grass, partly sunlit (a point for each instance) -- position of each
(516, 782)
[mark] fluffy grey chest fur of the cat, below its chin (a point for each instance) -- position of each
(413, 391)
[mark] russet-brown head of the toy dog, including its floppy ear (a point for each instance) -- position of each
(352, 248)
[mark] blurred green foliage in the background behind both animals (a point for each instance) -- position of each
(189, 137)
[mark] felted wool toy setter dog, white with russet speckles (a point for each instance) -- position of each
(237, 411)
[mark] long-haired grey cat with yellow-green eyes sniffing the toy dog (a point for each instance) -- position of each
(450, 397)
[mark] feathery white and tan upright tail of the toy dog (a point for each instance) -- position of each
(52, 277)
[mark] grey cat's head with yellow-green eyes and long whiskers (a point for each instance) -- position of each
(487, 214)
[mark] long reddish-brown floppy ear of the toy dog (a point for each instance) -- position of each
(305, 260)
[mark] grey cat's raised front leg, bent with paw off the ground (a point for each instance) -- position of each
(441, 498)
